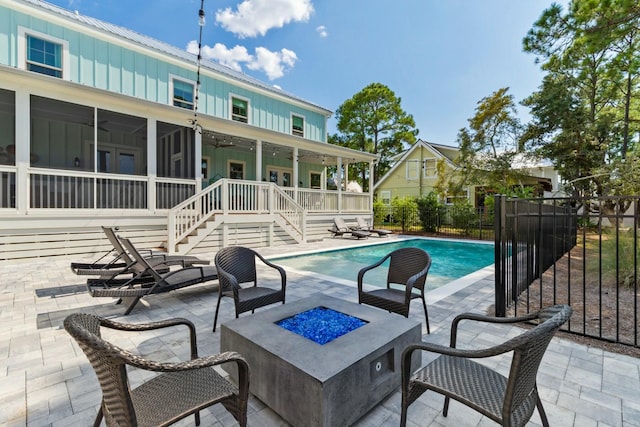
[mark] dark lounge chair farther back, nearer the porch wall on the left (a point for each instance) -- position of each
(121, 262)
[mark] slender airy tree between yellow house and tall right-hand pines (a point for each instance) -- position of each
(488, 146)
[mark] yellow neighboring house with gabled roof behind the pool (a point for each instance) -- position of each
(415, 171)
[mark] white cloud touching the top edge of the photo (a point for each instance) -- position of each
(256, 17)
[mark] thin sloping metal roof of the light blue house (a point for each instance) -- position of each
(164, 48)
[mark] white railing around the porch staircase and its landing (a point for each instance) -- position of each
(228, 196)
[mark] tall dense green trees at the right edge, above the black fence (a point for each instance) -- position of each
(586, 114)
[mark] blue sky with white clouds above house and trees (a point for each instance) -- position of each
(439, 56)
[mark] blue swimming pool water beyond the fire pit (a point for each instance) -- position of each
(450, 260)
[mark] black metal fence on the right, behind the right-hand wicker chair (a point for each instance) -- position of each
(583, 252)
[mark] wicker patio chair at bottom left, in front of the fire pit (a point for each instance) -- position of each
(179, 390)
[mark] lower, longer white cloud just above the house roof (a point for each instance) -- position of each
(273, 64)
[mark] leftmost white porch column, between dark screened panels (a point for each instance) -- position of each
(23, 147)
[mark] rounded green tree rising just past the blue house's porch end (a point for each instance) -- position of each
(373, 121)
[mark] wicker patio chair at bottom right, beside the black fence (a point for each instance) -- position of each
(508, 400)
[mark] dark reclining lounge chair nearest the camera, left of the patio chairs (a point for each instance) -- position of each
(147, 280)
